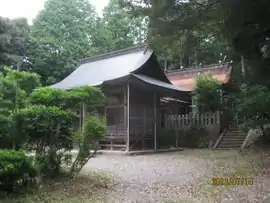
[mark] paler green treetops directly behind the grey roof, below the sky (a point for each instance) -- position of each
(67, 31)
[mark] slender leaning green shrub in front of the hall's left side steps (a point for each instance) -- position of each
(94, 129)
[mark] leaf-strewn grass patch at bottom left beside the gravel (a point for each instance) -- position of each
(90, 187)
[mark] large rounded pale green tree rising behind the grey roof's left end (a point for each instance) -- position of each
(60, 37)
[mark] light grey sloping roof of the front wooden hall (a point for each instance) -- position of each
(99, 69)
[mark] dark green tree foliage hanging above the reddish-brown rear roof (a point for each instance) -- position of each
(183, 32)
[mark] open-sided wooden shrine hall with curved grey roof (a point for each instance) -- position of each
(138, 94)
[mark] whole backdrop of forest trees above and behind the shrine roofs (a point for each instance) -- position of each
(183, 33)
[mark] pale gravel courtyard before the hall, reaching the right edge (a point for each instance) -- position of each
(178, 177)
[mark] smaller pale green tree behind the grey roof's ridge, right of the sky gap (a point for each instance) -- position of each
(118, 29)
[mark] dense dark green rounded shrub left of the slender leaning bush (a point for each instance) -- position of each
(46, 130)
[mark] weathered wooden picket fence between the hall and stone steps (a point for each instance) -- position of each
(206, 119)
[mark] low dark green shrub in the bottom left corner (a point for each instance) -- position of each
(15, 169)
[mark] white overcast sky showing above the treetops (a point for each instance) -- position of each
(30, 8)
